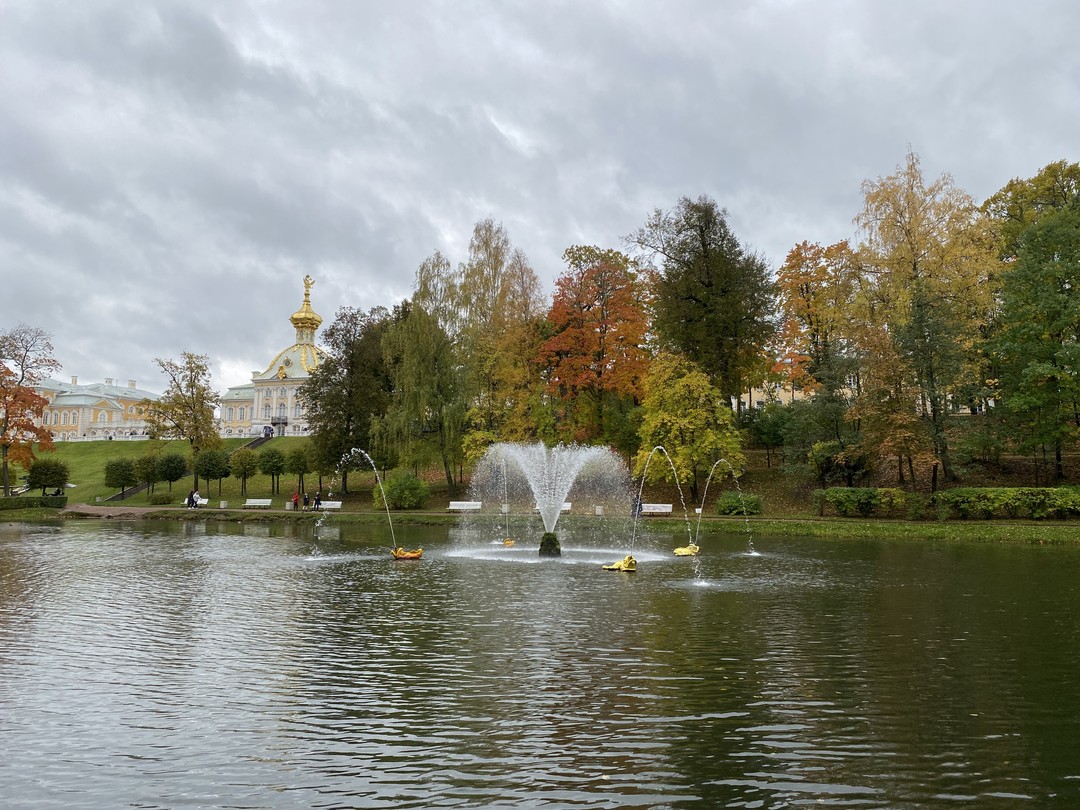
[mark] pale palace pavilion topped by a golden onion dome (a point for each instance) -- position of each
(272, 402)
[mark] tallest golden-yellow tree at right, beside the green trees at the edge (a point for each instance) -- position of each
(929, 263)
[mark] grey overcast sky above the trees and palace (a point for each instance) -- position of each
(171, 171)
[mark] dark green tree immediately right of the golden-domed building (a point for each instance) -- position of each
(350, 388)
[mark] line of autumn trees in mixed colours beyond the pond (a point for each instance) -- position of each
(867, 353)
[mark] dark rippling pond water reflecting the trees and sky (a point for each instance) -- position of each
(190, 666)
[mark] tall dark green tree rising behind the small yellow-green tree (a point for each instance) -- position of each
(714, 299)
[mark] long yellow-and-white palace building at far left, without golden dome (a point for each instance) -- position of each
(94, 412)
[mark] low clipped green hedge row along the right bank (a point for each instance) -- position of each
(964, 504)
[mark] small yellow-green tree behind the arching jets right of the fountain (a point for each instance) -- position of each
(686, 415)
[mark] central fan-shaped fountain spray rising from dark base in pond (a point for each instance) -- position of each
(534, 478)
